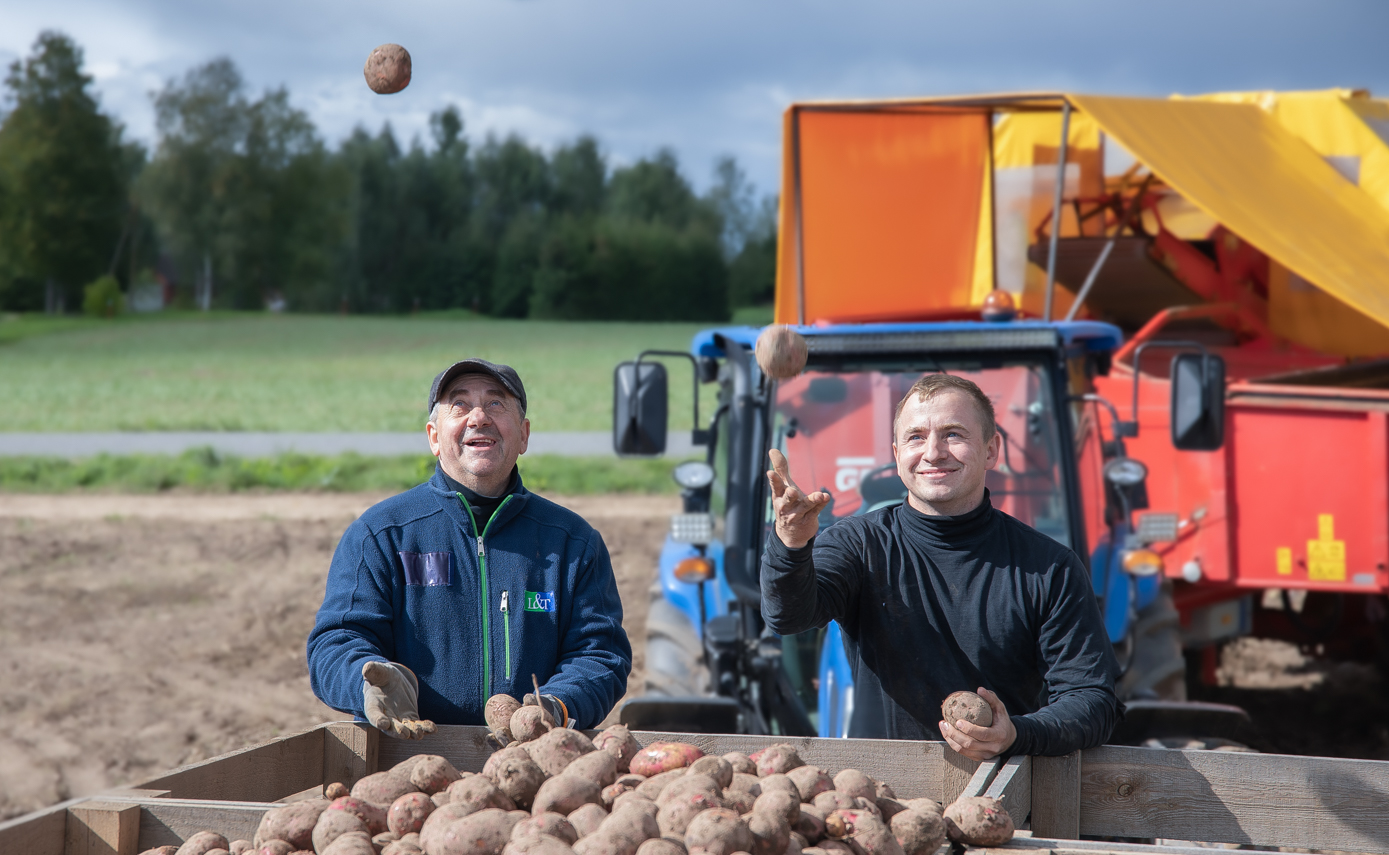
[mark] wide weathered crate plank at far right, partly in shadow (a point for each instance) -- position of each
(1265, 800)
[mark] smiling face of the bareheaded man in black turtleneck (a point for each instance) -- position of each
(942, 453)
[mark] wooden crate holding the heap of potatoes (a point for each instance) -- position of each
(1112, 792)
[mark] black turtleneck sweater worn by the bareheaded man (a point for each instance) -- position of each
(940, 604)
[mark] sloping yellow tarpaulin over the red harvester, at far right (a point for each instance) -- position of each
(1240, 166)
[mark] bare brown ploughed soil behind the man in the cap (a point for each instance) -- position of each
(148, 632)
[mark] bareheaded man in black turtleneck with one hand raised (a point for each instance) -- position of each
(945, 593)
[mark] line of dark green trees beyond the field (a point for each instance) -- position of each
(242, 205)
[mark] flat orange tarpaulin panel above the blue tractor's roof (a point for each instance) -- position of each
(881, 213)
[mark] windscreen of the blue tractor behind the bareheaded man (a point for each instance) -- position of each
(837, 431)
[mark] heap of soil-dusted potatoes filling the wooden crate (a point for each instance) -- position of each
(555, 792)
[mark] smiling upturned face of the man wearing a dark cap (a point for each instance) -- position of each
(479, 434)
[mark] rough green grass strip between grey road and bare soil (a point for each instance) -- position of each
(205, 471)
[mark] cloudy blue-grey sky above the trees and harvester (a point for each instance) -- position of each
(704, 77)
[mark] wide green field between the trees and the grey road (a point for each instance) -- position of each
(308, 373)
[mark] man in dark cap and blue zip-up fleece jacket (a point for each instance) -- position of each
(469, 585)
